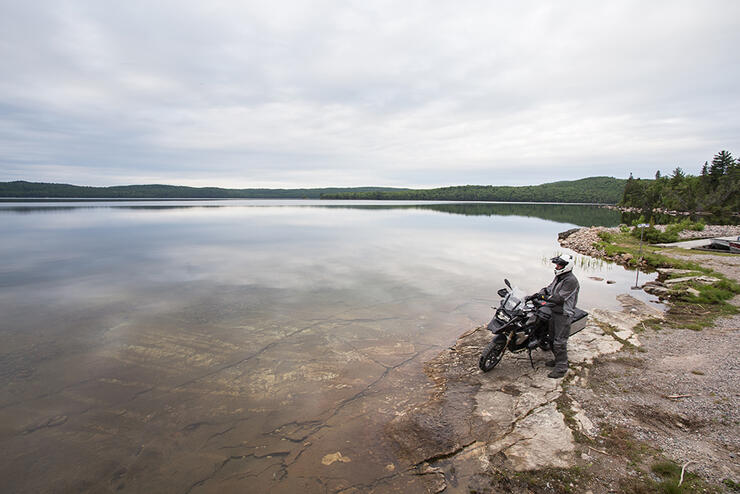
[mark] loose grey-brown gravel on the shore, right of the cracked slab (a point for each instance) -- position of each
(699, 369)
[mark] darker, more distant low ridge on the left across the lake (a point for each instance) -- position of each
(38, 189)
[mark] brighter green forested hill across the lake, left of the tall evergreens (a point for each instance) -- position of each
(603, 190)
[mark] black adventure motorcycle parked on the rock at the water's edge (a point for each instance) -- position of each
(519, 324)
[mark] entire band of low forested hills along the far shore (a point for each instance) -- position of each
(604, 190)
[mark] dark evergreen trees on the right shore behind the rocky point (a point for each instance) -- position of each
(715, 190)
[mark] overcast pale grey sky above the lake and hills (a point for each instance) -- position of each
(350, 93)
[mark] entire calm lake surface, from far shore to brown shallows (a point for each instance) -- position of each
(192, 346)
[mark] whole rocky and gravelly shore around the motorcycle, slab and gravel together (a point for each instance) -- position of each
(628, 406)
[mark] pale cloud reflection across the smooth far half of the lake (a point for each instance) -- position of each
(305, 250)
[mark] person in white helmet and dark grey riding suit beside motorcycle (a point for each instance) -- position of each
(562, 296)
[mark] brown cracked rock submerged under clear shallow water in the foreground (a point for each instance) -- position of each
(172, 409)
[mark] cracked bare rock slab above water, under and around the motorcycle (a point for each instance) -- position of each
(476, 422)
